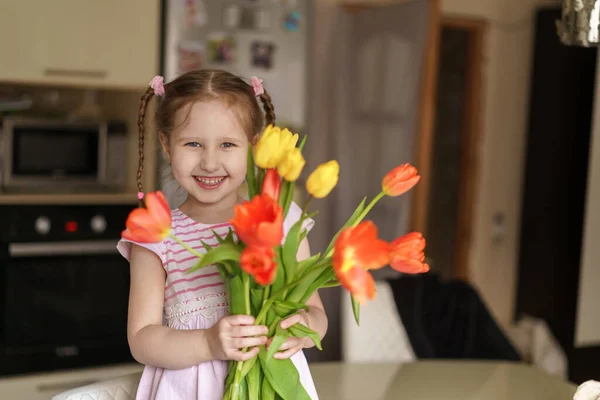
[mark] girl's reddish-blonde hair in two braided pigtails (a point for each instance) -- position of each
(204, 85)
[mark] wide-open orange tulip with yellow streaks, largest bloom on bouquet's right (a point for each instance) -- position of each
(356, 251)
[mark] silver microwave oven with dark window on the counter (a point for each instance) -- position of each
(60, 155)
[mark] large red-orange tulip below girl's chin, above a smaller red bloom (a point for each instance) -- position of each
(259, 222)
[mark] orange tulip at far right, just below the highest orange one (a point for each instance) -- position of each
(407, 254)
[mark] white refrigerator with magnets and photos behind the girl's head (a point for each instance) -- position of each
(264, 38)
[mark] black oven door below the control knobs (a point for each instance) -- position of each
(64, 306)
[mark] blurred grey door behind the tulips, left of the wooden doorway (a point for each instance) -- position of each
(368, 80)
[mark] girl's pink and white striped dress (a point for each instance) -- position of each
(197, 301)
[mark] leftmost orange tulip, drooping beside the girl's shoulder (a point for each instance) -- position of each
(151, 224)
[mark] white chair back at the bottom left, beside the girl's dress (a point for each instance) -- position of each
(121, 388)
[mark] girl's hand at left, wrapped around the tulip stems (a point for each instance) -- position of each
(231, 334)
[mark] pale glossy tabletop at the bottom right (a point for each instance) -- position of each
(438, 380)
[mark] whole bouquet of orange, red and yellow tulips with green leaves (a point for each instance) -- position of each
(259, 264)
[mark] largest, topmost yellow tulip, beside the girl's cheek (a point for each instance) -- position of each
(273, 145)
